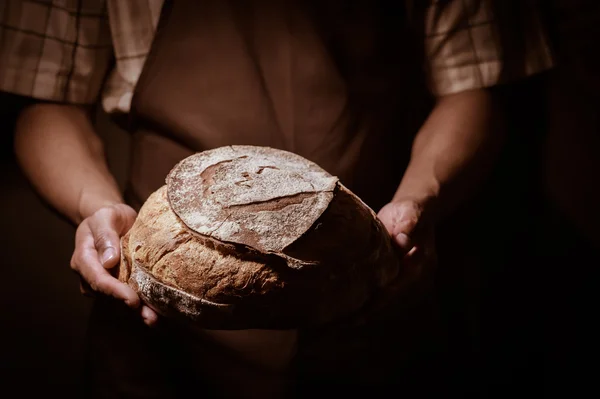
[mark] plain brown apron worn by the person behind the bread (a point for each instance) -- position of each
(319, 79)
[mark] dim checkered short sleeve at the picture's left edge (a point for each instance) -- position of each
(56, 50)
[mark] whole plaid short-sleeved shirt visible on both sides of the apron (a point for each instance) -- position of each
(63, 50)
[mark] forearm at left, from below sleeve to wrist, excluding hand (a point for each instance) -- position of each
(64, 159)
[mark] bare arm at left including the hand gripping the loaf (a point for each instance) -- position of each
(64, 159)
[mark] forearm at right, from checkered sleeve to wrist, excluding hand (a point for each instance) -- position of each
(454, 150)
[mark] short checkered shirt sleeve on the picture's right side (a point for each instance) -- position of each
(471, 44)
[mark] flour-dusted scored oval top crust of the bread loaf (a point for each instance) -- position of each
(256, 196)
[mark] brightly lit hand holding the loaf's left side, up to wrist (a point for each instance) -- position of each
(97, 251)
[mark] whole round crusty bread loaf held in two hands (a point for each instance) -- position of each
(246, 237)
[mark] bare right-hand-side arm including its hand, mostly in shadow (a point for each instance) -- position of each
(452, 153)
